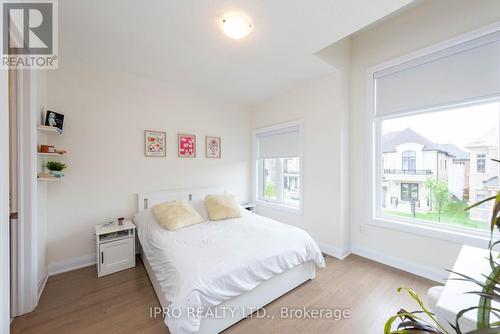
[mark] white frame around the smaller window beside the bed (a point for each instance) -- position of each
(257, 180)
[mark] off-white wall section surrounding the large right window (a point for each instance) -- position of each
(423, 25)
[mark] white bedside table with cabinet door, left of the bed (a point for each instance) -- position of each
(115, 247)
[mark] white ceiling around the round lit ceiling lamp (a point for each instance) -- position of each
(180, 41)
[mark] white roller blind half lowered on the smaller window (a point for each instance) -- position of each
(282, 143)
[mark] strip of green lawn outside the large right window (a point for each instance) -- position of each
(459, 217)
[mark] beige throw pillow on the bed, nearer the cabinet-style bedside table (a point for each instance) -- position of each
(175, 215)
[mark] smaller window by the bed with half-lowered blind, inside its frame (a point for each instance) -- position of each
(278, 164)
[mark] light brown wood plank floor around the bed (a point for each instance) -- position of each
(79, 302)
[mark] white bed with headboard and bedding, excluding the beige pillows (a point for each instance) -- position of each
(211, 275)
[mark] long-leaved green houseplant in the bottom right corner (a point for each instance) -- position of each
(423, 321)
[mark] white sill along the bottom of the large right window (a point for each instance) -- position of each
(463, 236)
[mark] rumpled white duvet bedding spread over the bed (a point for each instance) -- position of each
(206, 264)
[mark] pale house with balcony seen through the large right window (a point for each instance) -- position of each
(409, 160)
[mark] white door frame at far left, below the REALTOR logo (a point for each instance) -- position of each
(24, 231)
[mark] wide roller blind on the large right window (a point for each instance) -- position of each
(463, 72)
